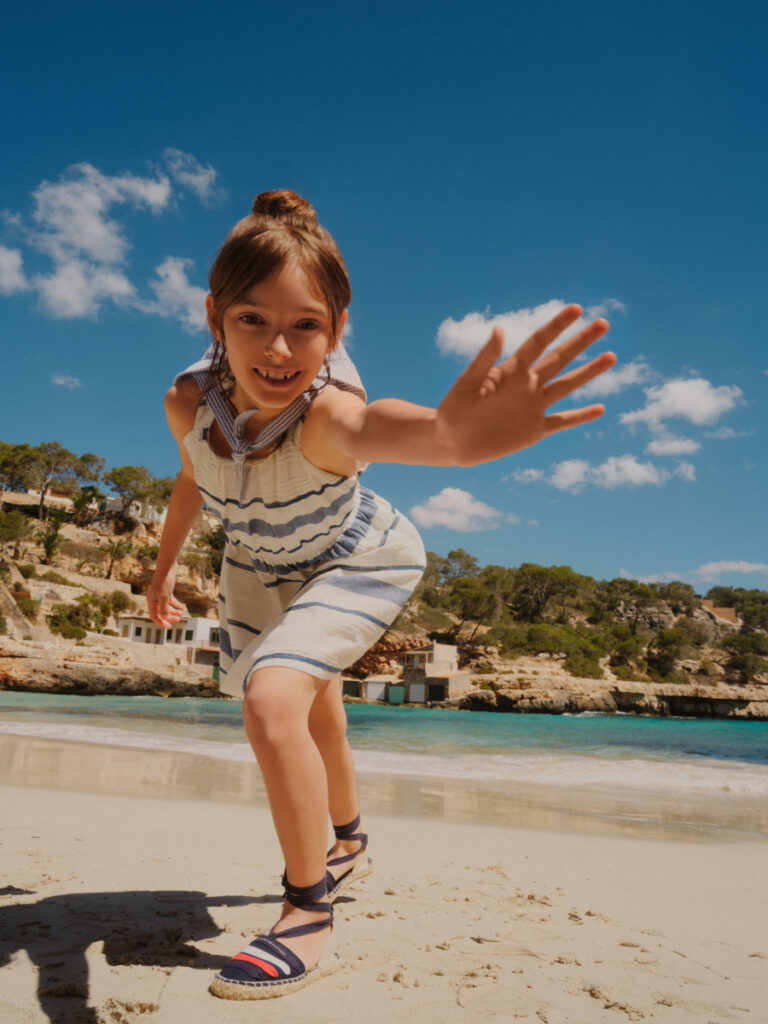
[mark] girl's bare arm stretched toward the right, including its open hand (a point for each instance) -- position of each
(492, 410)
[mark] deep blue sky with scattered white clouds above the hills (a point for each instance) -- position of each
(478, 164)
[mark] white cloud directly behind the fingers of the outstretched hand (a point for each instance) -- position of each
(467, 336)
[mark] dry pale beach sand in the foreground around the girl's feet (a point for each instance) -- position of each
(118, 909)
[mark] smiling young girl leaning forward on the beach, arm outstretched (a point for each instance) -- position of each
(274, 430)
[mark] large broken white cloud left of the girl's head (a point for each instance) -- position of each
(78, 223)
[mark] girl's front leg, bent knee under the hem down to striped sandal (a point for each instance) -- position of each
(276, 713)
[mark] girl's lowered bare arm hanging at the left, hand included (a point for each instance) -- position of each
(181, 406)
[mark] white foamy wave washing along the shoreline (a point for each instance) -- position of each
(670, 775)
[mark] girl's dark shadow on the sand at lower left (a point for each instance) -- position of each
(157, 929)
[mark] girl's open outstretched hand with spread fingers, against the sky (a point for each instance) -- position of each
(496, 409)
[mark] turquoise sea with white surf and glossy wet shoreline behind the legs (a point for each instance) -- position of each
(703, 777)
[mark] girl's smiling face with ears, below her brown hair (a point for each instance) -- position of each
(276, 338)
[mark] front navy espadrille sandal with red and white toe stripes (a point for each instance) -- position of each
(267, 968)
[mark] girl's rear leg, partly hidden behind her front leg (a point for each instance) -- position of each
(328, 727)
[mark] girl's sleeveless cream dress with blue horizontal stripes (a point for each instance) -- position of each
(316, 567)
